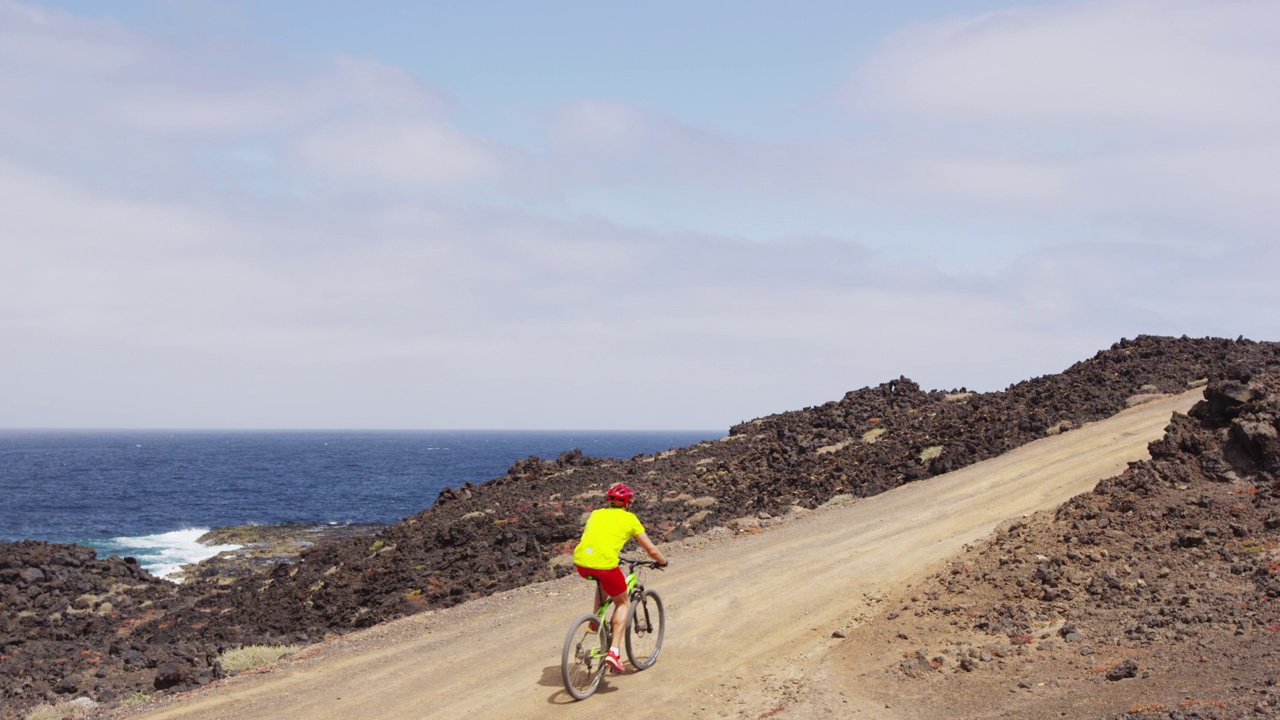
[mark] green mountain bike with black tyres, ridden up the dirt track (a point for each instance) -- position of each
(591, 636)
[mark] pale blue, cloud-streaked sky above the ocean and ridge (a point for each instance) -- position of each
(605, 216)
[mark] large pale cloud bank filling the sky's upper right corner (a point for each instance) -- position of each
(1150, 112)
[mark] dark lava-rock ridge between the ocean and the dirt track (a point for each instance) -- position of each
(76, 626)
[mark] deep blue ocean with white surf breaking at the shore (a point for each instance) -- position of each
(150, 494)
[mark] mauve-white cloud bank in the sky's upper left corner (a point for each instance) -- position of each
(90, 94)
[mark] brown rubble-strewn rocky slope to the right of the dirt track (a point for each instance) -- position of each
(1158, 595)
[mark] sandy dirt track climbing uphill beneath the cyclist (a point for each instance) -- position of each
(752, 619)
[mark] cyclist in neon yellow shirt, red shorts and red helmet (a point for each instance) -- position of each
(597, 557)
